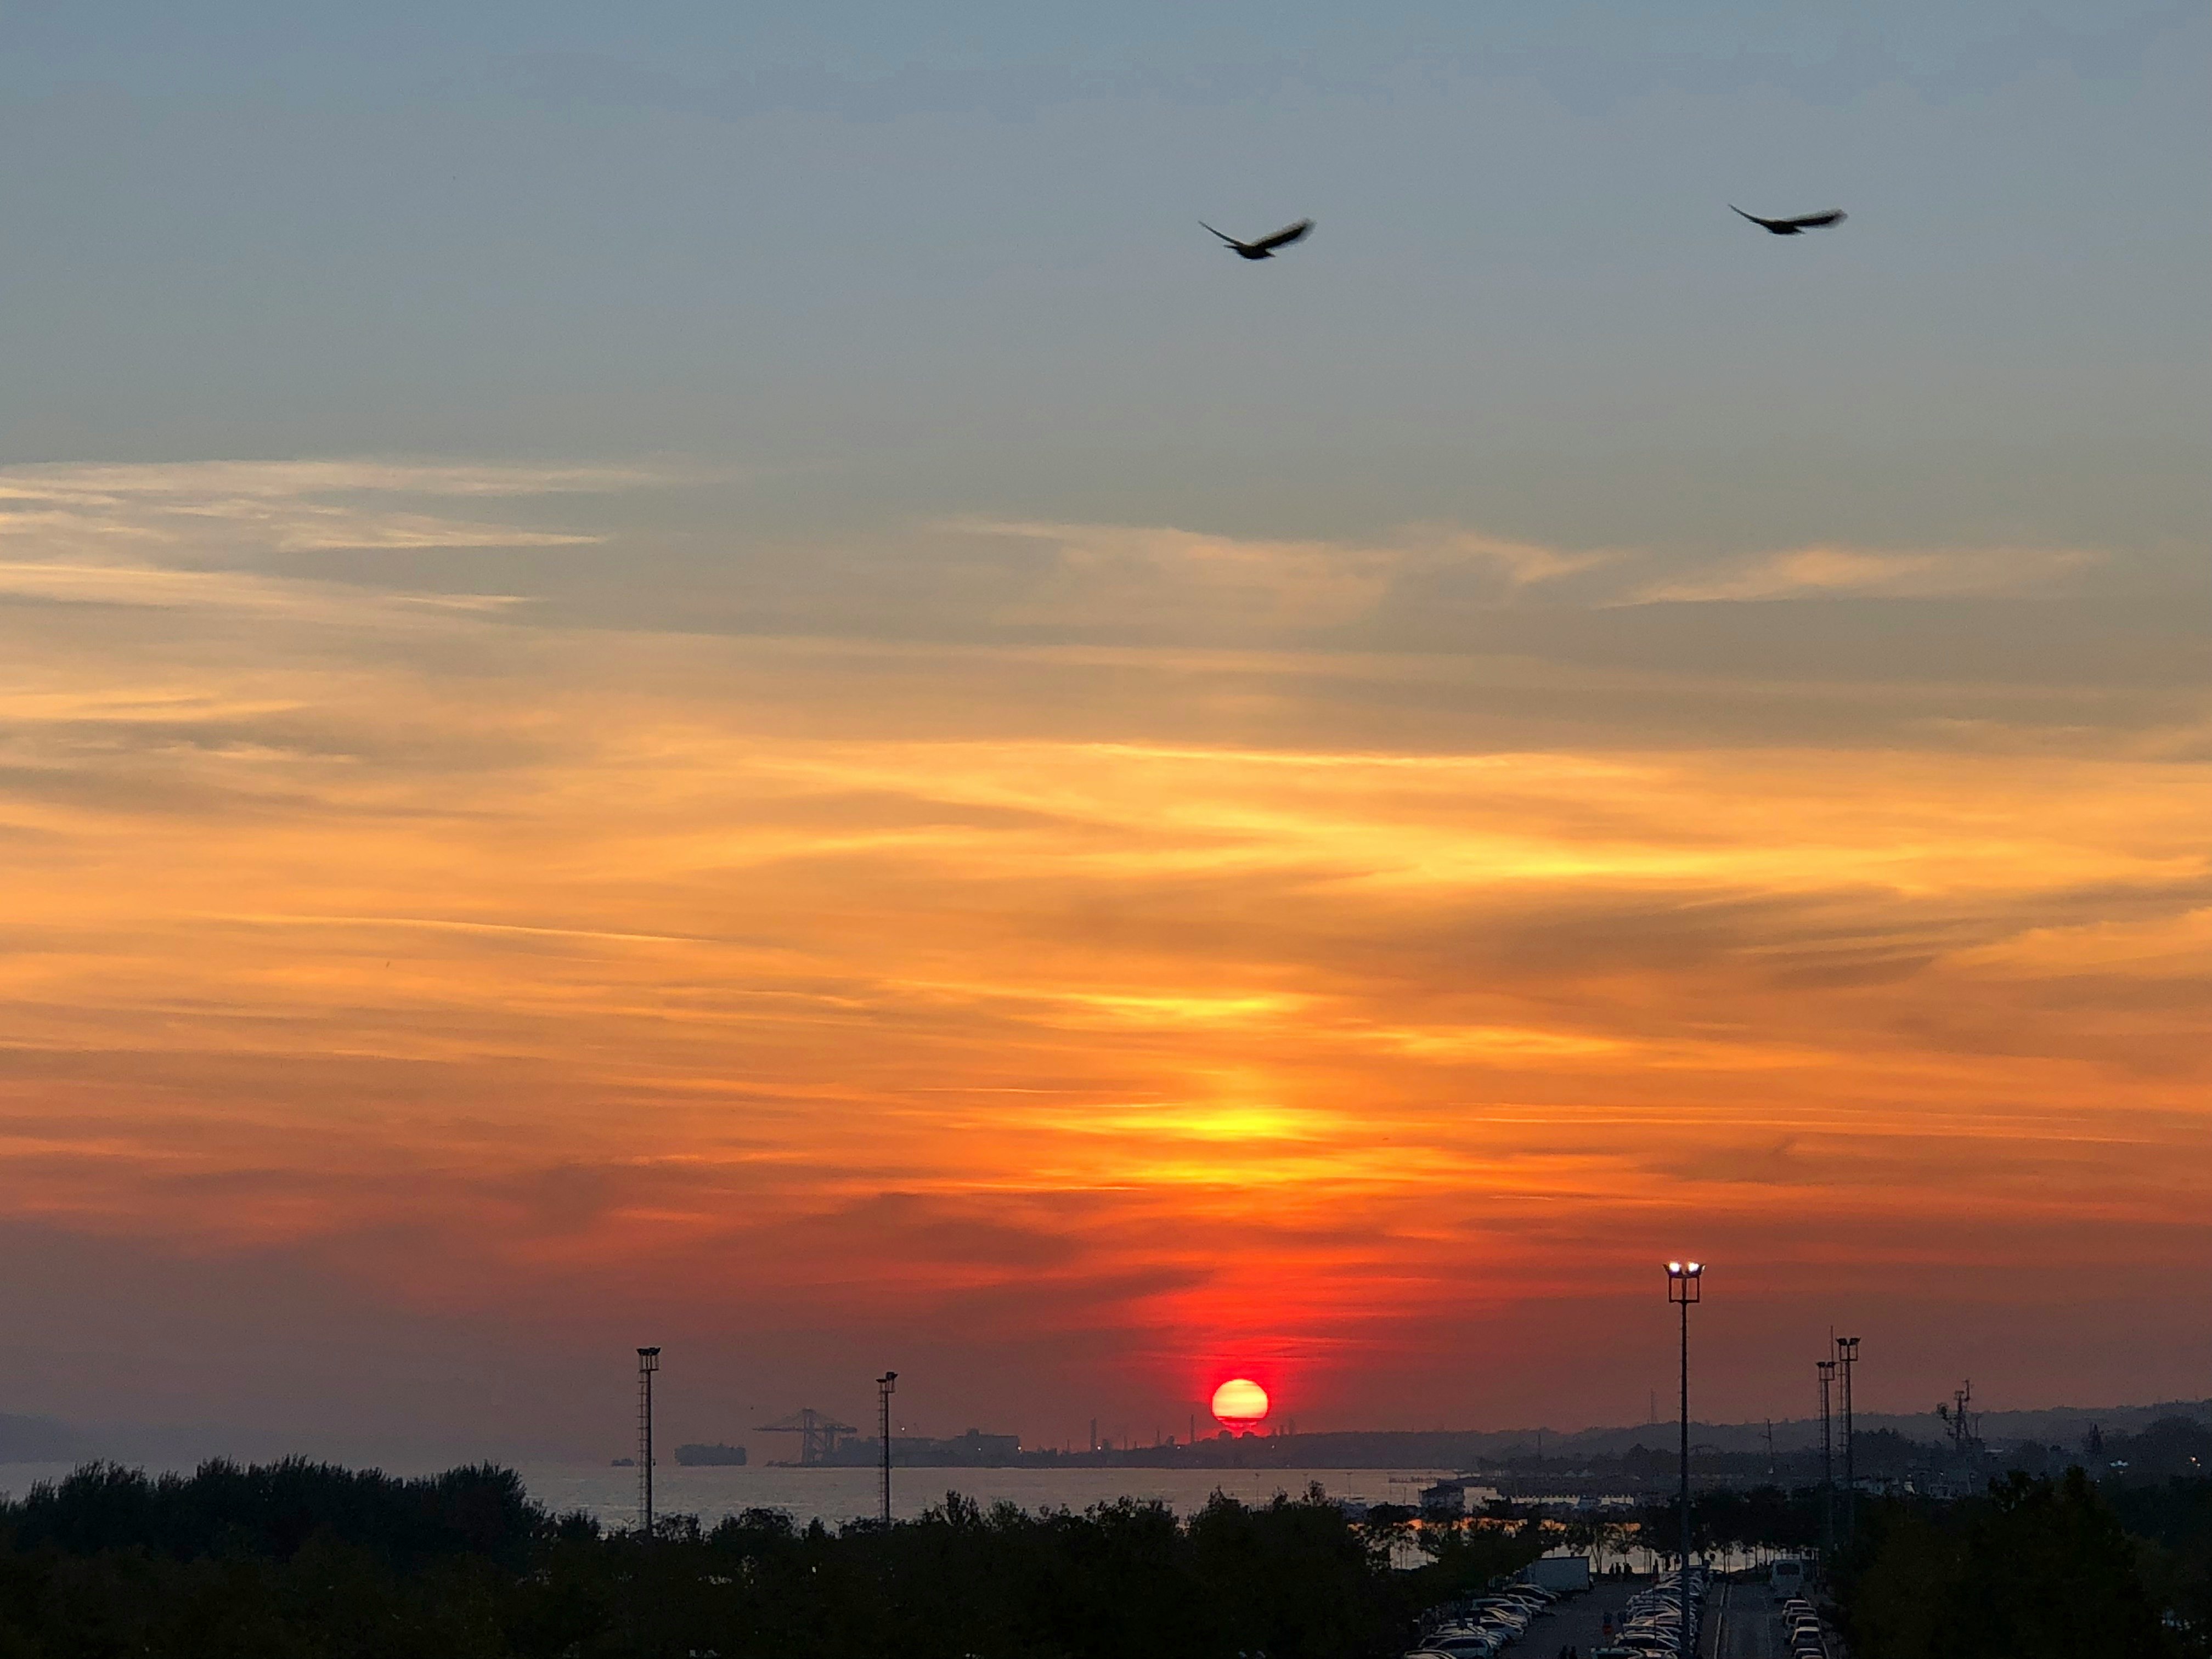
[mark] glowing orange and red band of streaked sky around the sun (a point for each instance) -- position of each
(1107, 1008)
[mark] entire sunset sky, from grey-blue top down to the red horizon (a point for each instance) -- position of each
(700, 676)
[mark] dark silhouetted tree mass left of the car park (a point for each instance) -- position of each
(304, 1561)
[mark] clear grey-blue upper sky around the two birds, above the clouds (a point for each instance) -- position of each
(946, 260)
